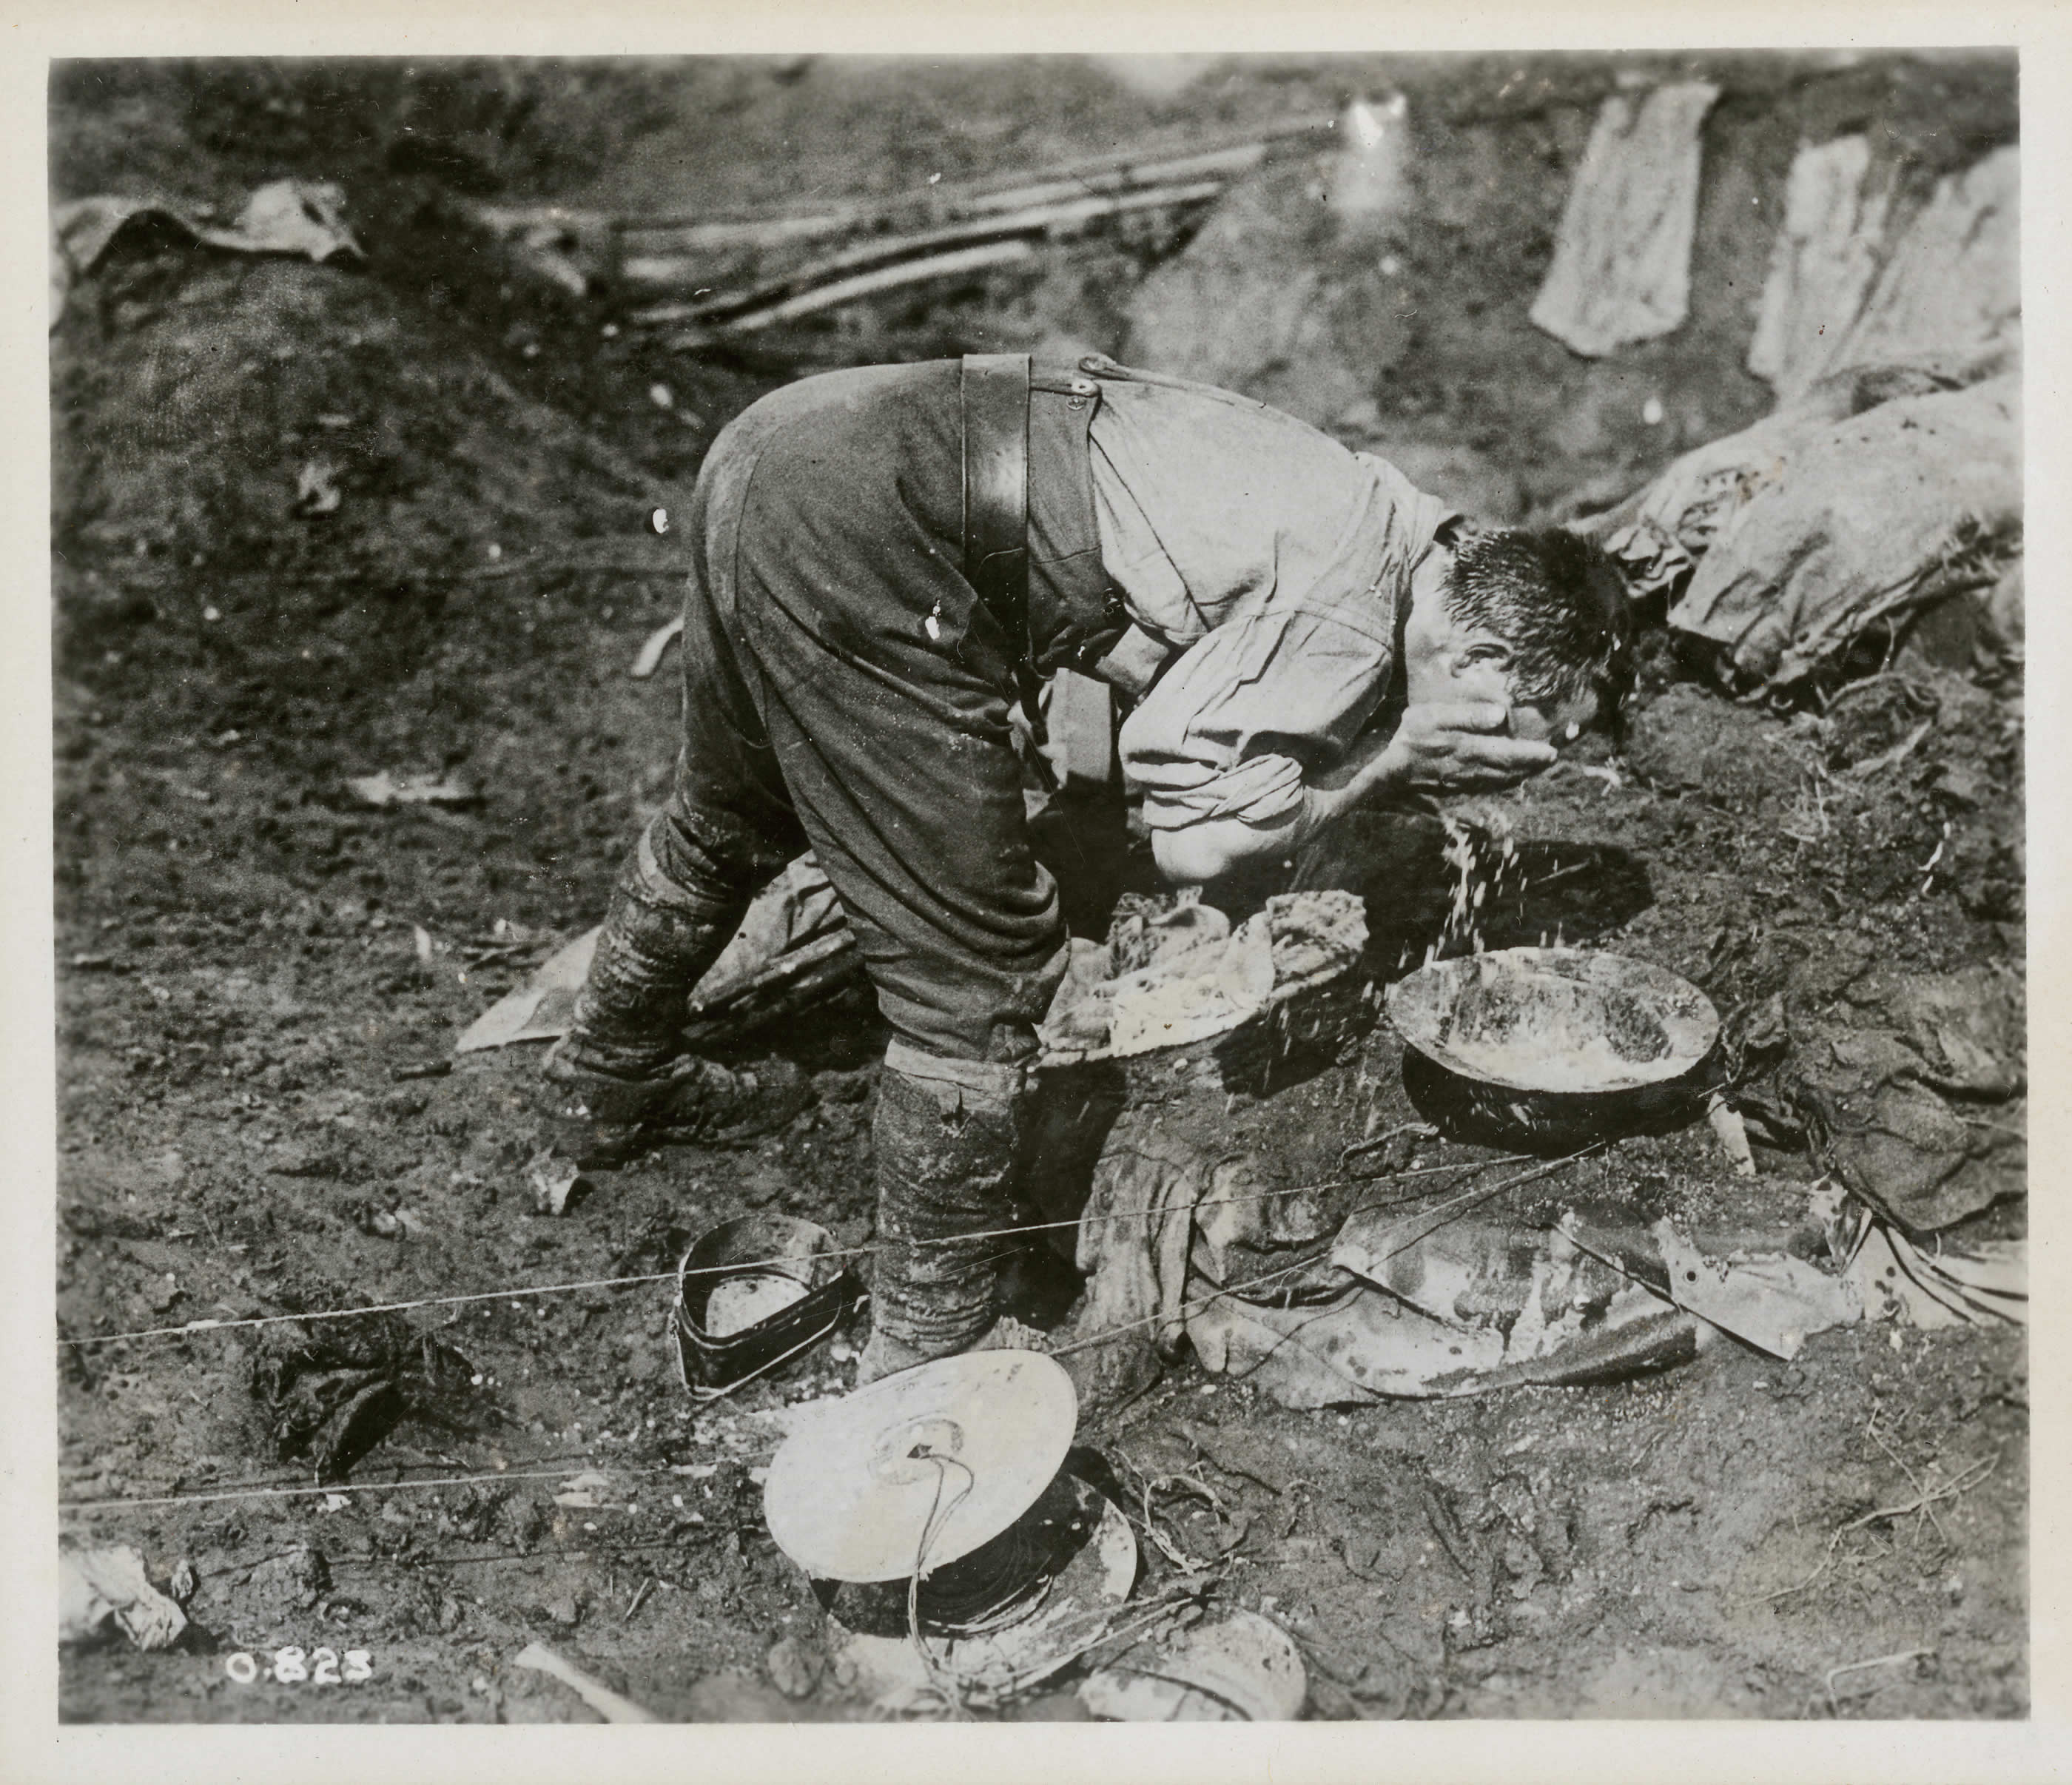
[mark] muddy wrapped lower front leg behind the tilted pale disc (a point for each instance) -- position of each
(948, 1141)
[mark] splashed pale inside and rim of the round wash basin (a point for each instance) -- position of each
(1555, 1019)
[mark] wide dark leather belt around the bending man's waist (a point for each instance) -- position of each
(996, 397)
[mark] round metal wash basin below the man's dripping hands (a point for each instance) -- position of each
(1555, 1048)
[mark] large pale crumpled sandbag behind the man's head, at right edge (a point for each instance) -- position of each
(1818, 532)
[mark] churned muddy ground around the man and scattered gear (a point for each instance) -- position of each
(248, 1019)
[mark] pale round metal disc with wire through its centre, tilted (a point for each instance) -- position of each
(853, 1490)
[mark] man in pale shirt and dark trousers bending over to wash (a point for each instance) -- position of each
(884, 561)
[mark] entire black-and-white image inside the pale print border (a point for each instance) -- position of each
(1039, 888)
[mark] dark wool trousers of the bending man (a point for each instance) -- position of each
(846, 689)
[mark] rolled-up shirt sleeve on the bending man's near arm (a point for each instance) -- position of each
(1238, 722)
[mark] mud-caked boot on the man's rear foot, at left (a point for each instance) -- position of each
(600, 1118)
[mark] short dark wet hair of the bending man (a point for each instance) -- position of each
(1557, 600)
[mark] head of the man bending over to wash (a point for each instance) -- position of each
(1534, 619)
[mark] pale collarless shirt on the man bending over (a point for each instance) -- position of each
(1275, 563)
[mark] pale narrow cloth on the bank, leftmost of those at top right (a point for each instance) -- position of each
(1623, 254)
